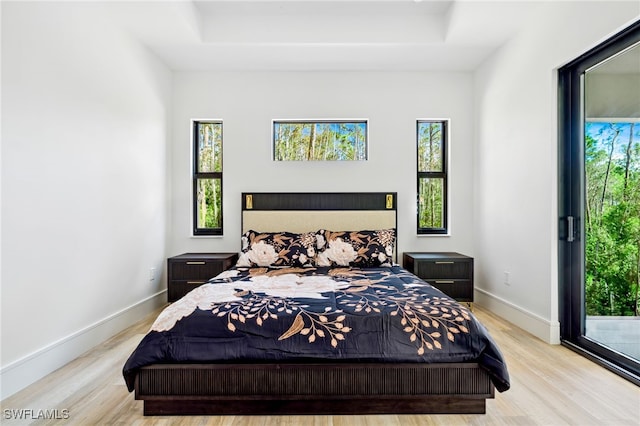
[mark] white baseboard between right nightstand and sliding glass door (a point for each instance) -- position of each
(544, 329)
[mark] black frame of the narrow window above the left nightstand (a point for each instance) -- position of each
(195, 176)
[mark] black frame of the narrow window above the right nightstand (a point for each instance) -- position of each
(444, 175)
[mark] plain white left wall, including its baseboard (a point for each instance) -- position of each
(84, 185)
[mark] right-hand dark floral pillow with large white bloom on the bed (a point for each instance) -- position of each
(355, 248)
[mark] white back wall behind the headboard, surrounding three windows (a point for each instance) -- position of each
(248, 101)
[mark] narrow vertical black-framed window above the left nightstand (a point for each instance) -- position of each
(207, 178)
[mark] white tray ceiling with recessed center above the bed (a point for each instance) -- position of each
(435, 35)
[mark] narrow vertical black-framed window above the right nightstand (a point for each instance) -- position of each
(432, 177)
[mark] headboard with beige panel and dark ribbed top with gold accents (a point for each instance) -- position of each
(311, 211)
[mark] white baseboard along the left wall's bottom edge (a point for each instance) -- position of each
(27, 370)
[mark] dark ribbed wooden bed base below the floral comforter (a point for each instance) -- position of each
(346, 388)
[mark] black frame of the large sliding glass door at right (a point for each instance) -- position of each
(571, 193)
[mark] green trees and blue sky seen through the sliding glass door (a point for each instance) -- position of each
(612, 219)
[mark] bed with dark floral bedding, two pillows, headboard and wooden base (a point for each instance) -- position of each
(316, 318)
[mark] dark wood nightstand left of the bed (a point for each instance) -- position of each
(190, 270)
